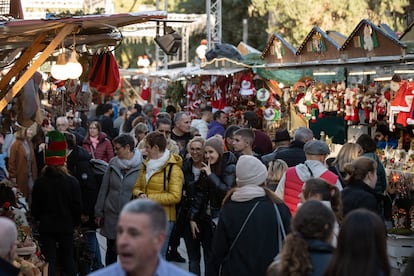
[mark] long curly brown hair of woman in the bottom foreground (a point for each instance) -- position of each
(313, 220)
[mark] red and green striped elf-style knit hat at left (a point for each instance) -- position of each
(55, 153)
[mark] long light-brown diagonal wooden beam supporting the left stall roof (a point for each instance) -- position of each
(67, 29)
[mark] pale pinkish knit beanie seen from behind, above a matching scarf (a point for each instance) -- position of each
(250, 171)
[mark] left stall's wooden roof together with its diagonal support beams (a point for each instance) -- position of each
(23, 40)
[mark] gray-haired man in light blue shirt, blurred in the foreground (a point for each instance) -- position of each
(141, 232)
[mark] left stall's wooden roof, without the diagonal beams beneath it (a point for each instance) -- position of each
(90, 29)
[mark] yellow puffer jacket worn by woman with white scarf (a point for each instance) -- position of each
(169, 196)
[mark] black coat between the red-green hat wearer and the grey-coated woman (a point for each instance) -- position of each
(79, 166)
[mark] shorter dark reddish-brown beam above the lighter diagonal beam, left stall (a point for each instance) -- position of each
(22, 62)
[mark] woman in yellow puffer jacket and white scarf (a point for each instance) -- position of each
(161, 178)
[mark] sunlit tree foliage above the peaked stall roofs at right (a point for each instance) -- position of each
(295, 19)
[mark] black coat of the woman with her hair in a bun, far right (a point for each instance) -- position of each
(359, 195)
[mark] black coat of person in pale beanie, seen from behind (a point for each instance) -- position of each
(257, 244)
